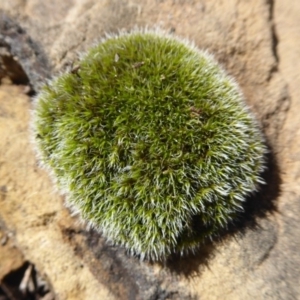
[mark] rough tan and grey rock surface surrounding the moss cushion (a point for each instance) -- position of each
(257, 42)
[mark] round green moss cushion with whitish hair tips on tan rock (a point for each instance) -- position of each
(147, 136)
